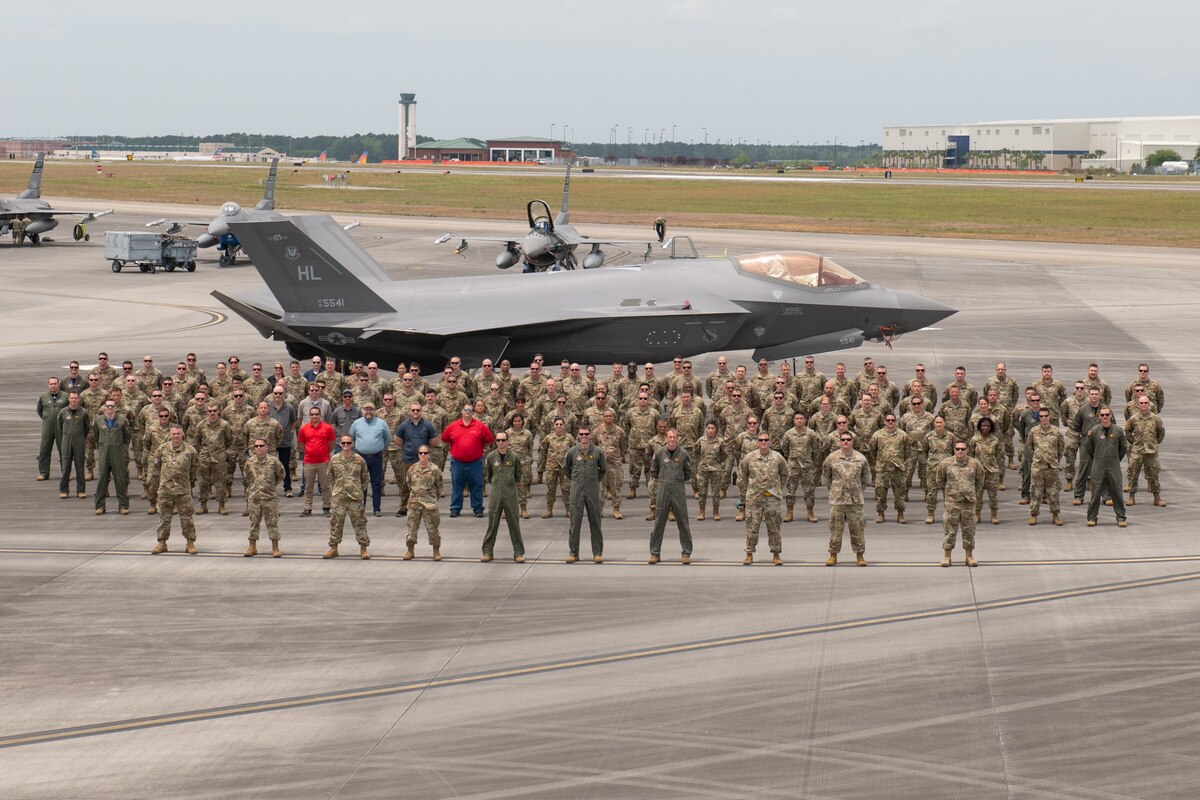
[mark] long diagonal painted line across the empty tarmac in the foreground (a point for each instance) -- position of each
(577, 664)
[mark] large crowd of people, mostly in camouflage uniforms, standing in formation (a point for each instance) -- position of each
(773, 437)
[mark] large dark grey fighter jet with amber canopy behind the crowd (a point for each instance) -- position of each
(326, 296)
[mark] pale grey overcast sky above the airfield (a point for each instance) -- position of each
(757, 70)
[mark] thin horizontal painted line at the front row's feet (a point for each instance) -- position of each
(585, 563)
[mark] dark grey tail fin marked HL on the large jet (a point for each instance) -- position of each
(302, 275)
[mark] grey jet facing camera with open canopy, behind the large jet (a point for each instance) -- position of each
(550, 244)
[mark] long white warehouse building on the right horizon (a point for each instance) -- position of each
(1119, 143)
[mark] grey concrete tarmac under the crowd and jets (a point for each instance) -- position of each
(1066, 666)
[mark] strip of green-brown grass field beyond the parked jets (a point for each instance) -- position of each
(1076, 214)
